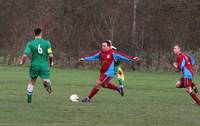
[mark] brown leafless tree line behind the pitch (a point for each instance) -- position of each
(76, 28)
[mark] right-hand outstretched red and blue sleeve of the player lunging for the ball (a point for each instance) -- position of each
(121, 56)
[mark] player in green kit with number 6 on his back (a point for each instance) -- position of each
(41, 61)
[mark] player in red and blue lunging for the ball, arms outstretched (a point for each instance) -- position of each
(107, 57)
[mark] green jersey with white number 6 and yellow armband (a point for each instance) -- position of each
(39, 49)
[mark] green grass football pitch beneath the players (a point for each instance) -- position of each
(151, 99)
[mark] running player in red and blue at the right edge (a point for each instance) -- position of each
(185, 65)
